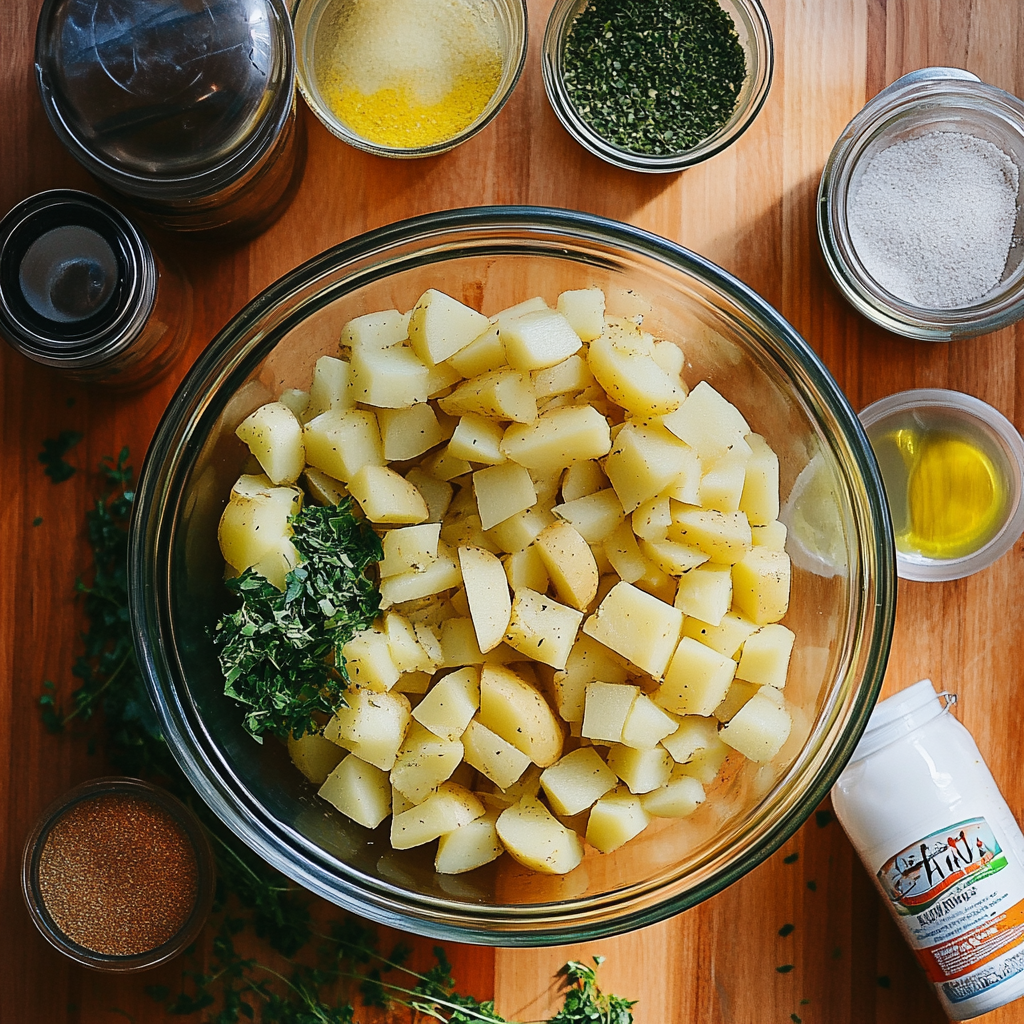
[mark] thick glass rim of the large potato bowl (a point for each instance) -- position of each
(273, 840)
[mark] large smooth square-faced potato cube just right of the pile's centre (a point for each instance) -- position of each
(642, 628)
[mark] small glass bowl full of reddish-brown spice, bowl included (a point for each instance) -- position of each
(118, 876)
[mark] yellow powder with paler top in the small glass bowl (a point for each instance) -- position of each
(408, 73)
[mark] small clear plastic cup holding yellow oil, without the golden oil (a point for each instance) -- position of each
(940, 414)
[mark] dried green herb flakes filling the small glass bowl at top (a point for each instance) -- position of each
(657, 77)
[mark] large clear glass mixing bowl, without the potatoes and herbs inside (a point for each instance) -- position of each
(842, 608)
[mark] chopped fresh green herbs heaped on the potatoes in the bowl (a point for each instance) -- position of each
(281, 653)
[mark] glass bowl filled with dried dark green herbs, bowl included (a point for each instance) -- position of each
(657, 88)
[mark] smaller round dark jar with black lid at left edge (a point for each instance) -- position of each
(78, 281)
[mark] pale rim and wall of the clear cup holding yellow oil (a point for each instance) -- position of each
(931, 405)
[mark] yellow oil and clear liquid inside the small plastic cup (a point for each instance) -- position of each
(947, 483)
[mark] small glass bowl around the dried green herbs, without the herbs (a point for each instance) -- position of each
(755, 37)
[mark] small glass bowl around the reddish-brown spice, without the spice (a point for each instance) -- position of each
(205, 876)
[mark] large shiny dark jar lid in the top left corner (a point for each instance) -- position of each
(166, 100)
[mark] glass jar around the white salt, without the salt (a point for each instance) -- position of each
(924, 102)
